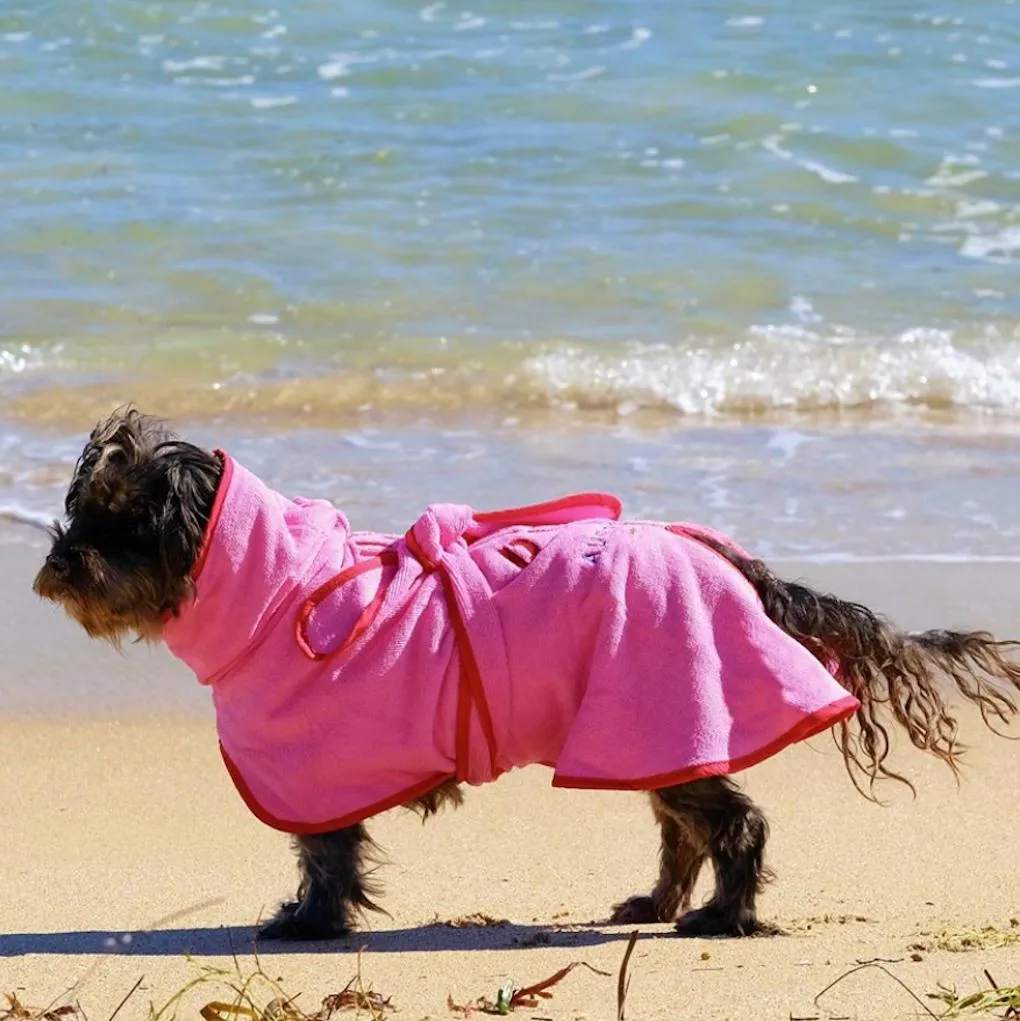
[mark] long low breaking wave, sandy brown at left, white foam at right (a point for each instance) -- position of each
(801, 369)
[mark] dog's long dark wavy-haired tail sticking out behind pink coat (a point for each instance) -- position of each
(891, 672)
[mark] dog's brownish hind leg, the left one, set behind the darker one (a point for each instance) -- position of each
(683, 852)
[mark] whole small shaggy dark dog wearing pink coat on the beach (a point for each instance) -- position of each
(354, 672)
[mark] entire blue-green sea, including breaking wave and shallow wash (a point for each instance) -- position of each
(575, 233)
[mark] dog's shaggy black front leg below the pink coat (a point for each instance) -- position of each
(334, 888)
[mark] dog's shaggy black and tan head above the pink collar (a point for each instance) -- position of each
(136, 515)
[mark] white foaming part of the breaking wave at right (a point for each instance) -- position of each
(787, 369)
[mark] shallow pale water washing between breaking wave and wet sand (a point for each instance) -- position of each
(846, 496)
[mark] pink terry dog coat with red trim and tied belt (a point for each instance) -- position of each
(353, 672)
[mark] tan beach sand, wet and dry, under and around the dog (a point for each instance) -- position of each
(127, 855)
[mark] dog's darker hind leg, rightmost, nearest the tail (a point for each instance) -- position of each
(735, 834)
